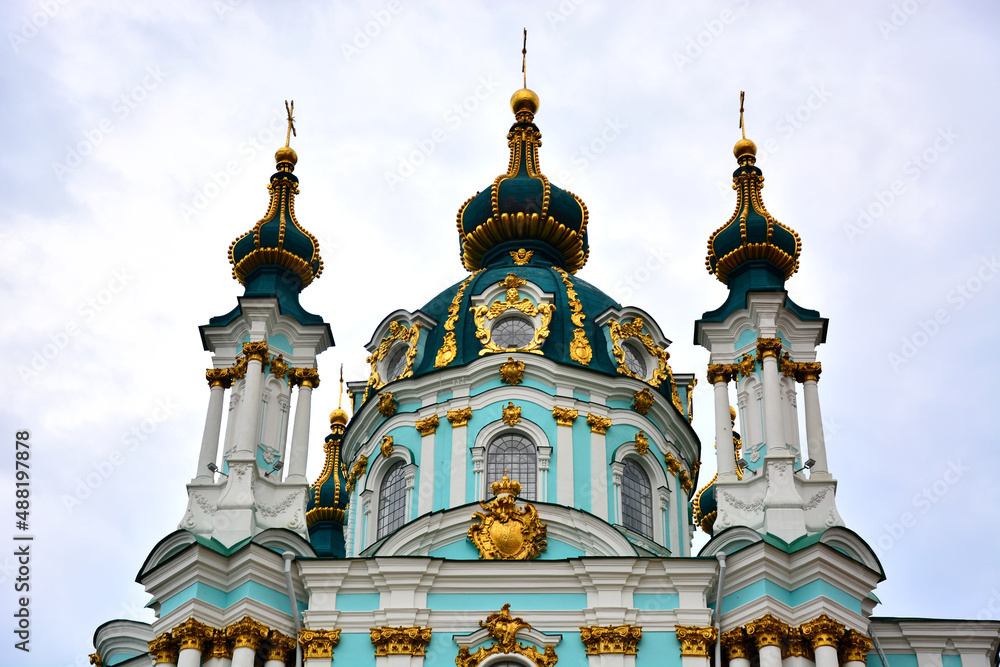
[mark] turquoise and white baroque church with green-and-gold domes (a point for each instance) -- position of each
(517, 481)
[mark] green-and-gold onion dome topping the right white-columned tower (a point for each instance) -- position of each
(751, 238)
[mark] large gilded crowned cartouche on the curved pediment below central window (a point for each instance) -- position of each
(505, 532)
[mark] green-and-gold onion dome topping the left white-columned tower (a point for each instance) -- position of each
(278, 241)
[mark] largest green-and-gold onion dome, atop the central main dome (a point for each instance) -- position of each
(521, 209)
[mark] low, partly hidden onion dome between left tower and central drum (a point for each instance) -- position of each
(326, 508)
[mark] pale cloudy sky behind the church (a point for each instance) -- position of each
(137, 143)
